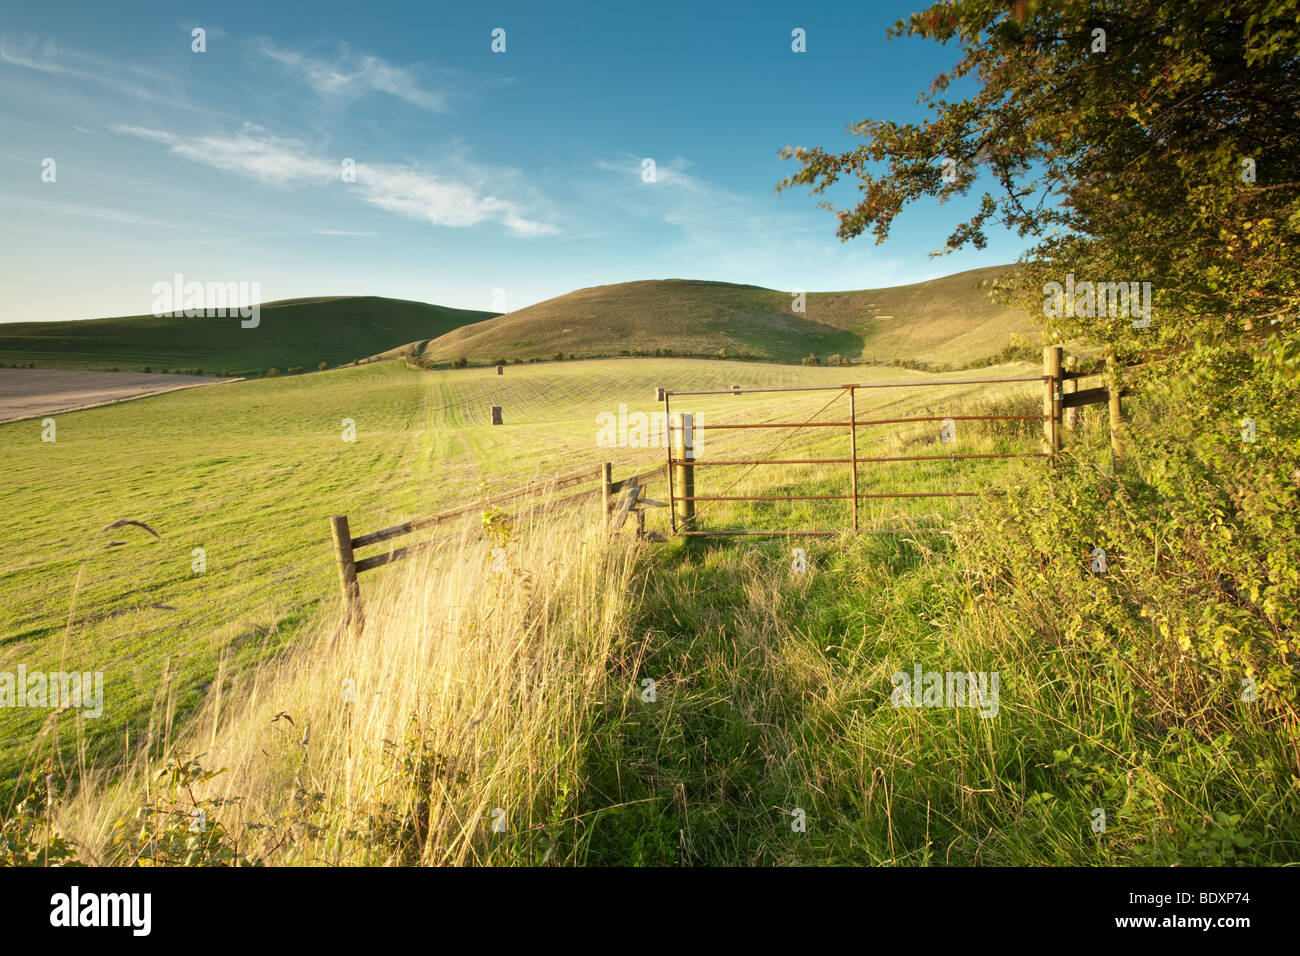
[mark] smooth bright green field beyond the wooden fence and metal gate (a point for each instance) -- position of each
(250, 473)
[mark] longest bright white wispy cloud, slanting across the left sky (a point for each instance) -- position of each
(409, 192)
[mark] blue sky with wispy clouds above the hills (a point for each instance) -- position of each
(475, 171)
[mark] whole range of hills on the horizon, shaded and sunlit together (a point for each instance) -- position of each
(948, 322)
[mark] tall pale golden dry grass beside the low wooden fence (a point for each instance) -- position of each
(448, 730)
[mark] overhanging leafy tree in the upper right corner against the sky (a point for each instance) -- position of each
(1139, 139)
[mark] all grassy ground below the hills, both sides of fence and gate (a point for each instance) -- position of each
(519, 694)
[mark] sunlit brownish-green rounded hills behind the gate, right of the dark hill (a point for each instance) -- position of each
(948, 322)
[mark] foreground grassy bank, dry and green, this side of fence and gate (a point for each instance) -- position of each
(707, 704)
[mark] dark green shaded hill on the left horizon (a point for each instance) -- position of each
(292, 332)
